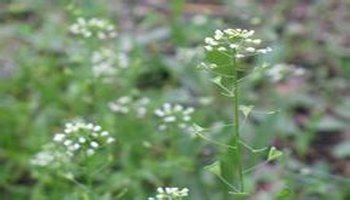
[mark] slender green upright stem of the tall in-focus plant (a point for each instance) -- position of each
(236, 127)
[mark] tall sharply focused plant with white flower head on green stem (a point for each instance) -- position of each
(224, 53)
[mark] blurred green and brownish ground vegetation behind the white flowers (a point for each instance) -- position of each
(45, 80)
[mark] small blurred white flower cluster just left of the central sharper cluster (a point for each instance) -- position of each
(127, 104)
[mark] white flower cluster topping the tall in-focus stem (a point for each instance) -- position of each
(239, 41)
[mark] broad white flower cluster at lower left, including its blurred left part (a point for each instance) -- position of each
(77, 138)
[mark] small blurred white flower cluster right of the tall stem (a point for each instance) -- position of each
(278, 72)
